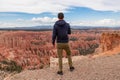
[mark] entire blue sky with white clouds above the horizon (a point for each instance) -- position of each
(27, 13)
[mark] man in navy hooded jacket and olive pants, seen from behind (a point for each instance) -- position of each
(60, 32)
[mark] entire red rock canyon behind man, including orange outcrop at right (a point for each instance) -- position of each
(33, 49)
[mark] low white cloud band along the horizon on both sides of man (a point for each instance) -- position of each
(42, 21)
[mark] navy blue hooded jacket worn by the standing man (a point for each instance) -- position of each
(60, 31)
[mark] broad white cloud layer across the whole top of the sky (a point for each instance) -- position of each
(53, 6)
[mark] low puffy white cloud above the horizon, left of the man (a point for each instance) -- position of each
(35, 21)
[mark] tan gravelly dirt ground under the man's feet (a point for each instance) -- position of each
(100, 68)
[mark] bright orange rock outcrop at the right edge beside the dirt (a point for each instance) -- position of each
(109, 41)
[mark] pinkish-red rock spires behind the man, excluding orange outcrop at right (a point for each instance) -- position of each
(32, 50)
